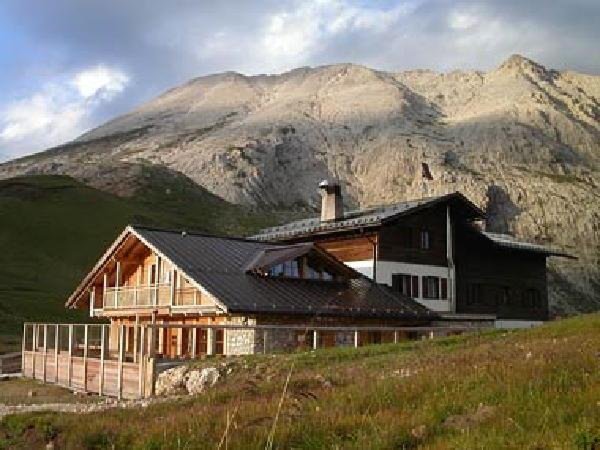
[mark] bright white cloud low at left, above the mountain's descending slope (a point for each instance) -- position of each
(58, 112)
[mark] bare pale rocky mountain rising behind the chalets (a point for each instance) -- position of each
(522, 140)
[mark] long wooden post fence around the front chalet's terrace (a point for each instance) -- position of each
(124, 361)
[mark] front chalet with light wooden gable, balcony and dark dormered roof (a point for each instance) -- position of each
(152, 276)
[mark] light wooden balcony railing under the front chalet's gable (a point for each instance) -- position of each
(150, 296)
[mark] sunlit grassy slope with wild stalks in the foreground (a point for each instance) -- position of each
(534, 389)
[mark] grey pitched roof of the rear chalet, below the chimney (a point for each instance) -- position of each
(364, 218)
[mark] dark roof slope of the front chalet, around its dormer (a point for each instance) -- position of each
(220, 265)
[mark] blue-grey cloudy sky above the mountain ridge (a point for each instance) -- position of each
(69, 65)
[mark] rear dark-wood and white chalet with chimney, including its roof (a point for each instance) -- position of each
(434, 251)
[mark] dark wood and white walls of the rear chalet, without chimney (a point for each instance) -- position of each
(441, 245)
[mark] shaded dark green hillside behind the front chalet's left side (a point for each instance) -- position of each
(53, 229)
